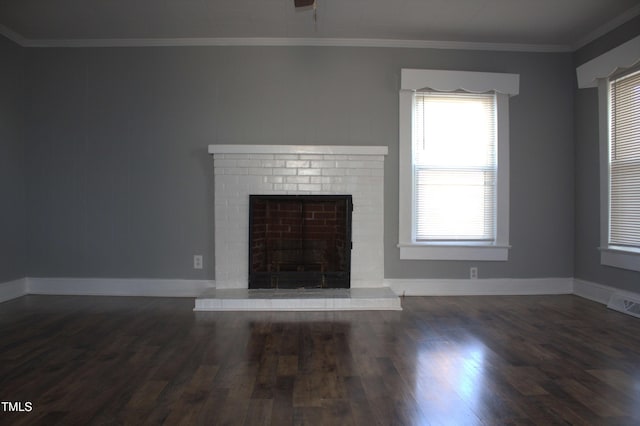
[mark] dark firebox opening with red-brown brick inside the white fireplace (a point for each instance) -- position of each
(299, 241)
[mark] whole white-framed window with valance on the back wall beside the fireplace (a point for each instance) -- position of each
(454, 165)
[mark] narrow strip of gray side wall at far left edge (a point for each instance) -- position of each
(12, 165)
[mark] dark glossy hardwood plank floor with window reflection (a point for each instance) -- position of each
(443, 360)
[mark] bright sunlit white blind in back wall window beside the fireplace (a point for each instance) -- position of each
(455, 166)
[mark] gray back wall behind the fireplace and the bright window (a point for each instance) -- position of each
(120, 183)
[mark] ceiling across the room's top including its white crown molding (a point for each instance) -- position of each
(560, 24)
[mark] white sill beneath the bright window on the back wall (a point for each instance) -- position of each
(425, 251)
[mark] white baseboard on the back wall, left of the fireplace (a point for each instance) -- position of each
(118, 287)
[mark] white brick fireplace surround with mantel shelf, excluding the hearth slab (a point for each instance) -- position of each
(241, 170)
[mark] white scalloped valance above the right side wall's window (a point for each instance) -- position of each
(624, 56)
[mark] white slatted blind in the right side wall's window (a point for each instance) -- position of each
(624, 161)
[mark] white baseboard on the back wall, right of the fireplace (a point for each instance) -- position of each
(480, 287)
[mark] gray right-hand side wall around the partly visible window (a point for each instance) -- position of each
(587, 256)
